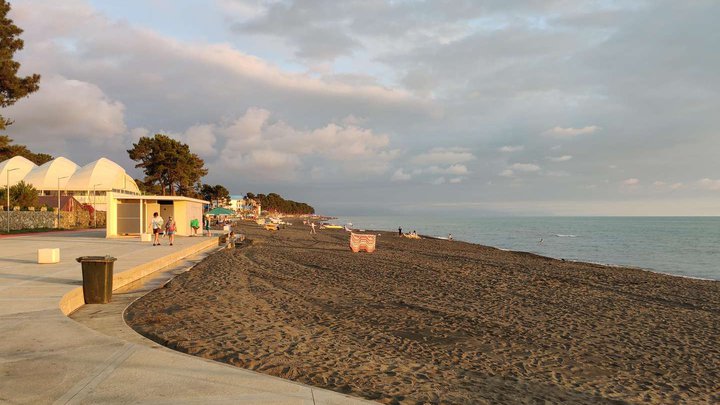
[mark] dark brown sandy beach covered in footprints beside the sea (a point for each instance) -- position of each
(433, 321)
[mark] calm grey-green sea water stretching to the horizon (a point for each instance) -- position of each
(684, 246)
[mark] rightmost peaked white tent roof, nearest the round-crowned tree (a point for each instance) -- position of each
(104, 175)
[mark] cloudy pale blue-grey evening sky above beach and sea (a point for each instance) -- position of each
(462, 107)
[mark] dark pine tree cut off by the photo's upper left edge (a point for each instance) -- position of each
(12, 87)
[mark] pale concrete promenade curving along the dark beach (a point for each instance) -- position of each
(46, 357)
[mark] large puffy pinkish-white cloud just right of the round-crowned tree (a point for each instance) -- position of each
(262, 148)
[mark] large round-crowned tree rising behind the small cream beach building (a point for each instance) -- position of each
(168, 163)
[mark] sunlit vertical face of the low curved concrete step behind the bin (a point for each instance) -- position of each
(74, 299)
